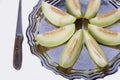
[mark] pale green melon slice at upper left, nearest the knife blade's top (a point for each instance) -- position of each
(57, 16)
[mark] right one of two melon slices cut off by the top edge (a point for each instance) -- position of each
(92, 9)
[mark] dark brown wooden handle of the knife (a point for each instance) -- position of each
(17, 57)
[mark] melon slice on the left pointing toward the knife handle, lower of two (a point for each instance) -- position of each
(55, 37)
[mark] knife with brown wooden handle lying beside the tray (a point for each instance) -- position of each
(17, 55)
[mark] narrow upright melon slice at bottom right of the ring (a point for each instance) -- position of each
(94, 50)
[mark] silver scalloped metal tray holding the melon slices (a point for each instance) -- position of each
(84, 67)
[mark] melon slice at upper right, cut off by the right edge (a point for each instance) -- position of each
(106, 19)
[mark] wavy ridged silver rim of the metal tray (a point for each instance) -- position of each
(43, 60)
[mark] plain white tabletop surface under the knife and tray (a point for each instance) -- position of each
(31, 66)
